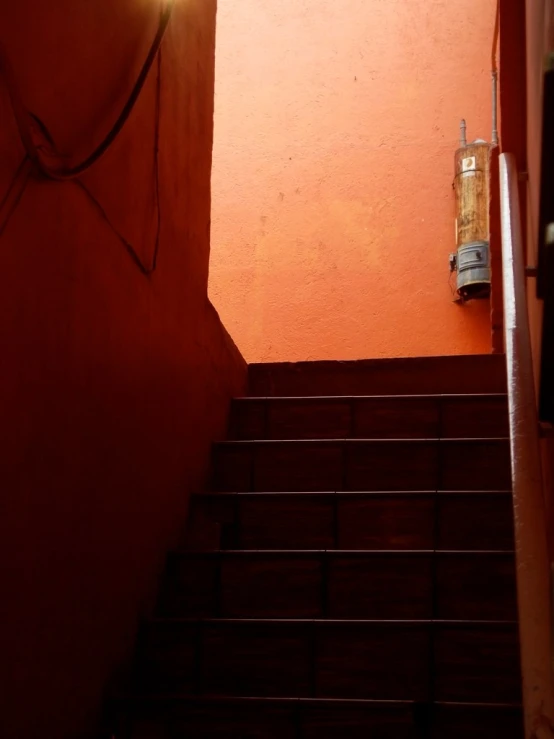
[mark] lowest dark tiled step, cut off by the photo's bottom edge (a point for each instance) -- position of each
(271, 718)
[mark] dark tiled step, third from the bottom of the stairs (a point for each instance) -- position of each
(341, 585)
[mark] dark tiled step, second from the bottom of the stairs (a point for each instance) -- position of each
(380, 660)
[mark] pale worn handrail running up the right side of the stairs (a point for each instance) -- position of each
(532, 560)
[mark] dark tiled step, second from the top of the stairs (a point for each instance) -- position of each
(385, 417)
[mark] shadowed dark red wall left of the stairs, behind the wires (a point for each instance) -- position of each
(112, 384)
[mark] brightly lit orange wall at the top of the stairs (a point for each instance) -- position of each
(333, 213)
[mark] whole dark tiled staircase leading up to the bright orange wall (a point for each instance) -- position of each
(352, 573)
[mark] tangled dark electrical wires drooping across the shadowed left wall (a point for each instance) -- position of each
(33, 162)
